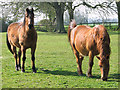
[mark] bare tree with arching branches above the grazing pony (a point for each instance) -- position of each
(105, 7)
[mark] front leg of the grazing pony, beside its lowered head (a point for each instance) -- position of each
(91, 57)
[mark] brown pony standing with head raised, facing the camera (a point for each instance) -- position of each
(23, 36)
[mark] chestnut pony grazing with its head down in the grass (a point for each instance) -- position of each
(87, 41)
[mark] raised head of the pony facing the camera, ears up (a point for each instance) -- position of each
(29, 17)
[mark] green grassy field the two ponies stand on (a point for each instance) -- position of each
(56, 66)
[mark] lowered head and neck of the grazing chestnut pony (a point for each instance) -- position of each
(104, 44)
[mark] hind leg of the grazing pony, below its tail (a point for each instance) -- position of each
(79, 59)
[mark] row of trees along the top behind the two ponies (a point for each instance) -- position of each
(55, 10)
